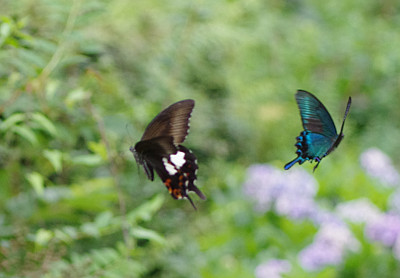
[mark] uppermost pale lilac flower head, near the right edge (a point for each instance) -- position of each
(378, 165)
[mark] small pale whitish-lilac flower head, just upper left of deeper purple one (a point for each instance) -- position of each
(358, 211)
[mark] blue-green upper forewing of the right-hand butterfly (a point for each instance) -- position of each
(314, 115)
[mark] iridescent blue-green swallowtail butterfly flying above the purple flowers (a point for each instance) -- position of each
(319, 137)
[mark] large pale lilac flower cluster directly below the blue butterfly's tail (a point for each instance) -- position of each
(291, 192)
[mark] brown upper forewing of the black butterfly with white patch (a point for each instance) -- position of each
(172, 121)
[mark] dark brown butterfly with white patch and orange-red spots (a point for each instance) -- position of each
(159, 150)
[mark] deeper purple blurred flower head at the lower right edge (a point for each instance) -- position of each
(385, 229)
